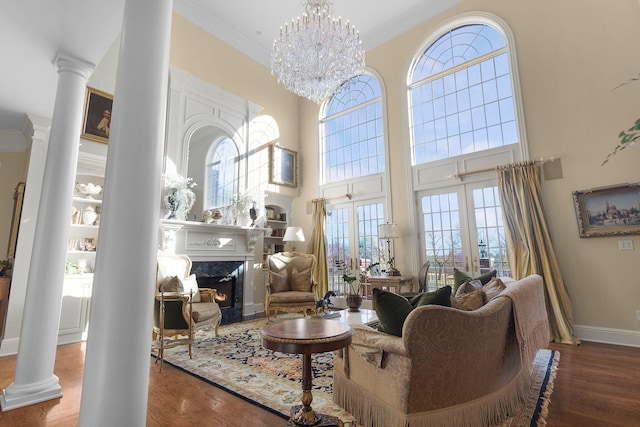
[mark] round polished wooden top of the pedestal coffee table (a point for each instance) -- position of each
(306, 336)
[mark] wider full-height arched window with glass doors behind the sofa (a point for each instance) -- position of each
(463, 113)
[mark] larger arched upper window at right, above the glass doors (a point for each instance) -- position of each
(461, 95)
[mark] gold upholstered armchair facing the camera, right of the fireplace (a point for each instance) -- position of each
(290, 286)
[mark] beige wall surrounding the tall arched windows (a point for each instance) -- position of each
(570, 56)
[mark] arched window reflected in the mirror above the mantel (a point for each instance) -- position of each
(222, 174)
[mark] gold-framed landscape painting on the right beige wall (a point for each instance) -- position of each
(608, 211)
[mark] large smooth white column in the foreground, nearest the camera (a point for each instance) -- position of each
(117, 363)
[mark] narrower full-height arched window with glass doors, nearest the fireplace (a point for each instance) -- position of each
(352, 153)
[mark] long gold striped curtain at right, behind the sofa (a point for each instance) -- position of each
(529, 242)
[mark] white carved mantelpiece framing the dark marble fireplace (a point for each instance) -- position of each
(215, 243)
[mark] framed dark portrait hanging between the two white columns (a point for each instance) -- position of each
(96, 124)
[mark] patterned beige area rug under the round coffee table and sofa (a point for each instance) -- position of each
(236, 362)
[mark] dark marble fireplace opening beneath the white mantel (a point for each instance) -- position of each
(227, 278)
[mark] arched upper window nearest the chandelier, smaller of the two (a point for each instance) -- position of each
(353, 143)
